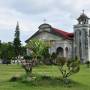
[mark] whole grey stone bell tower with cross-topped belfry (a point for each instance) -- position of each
(82, 38)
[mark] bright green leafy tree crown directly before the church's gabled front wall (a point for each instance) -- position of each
(39, 48)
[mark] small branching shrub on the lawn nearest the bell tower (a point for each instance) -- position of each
(68, 68)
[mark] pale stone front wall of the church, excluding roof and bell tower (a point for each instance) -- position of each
(55, 41)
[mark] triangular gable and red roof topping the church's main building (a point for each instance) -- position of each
(46, 32)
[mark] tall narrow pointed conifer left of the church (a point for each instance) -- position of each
(17, 42)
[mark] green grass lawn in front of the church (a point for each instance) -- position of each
(81, 79)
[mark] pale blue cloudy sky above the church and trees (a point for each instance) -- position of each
(61, 14)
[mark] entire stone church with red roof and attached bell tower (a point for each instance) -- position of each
(65, 44)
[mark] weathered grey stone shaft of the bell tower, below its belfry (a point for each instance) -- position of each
(84, 39)
